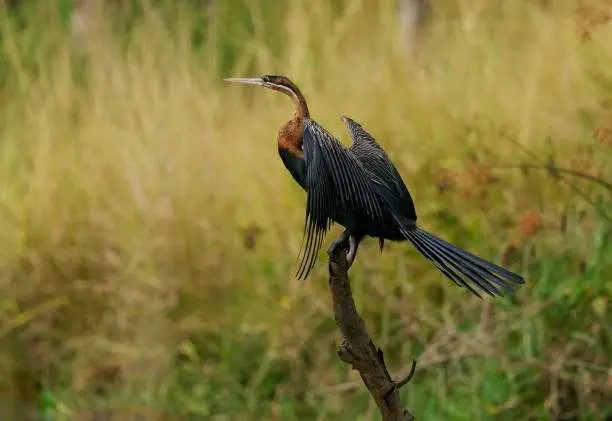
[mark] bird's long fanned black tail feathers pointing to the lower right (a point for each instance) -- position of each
(462, 267)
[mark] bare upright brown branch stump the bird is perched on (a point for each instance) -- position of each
(358, 349)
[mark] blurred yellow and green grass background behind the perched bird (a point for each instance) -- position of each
(150, 233)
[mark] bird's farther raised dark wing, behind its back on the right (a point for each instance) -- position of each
(376, 161)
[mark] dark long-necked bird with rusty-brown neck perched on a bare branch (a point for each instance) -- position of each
(359, 188)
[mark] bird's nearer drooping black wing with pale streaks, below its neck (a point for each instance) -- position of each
(337, 185)
